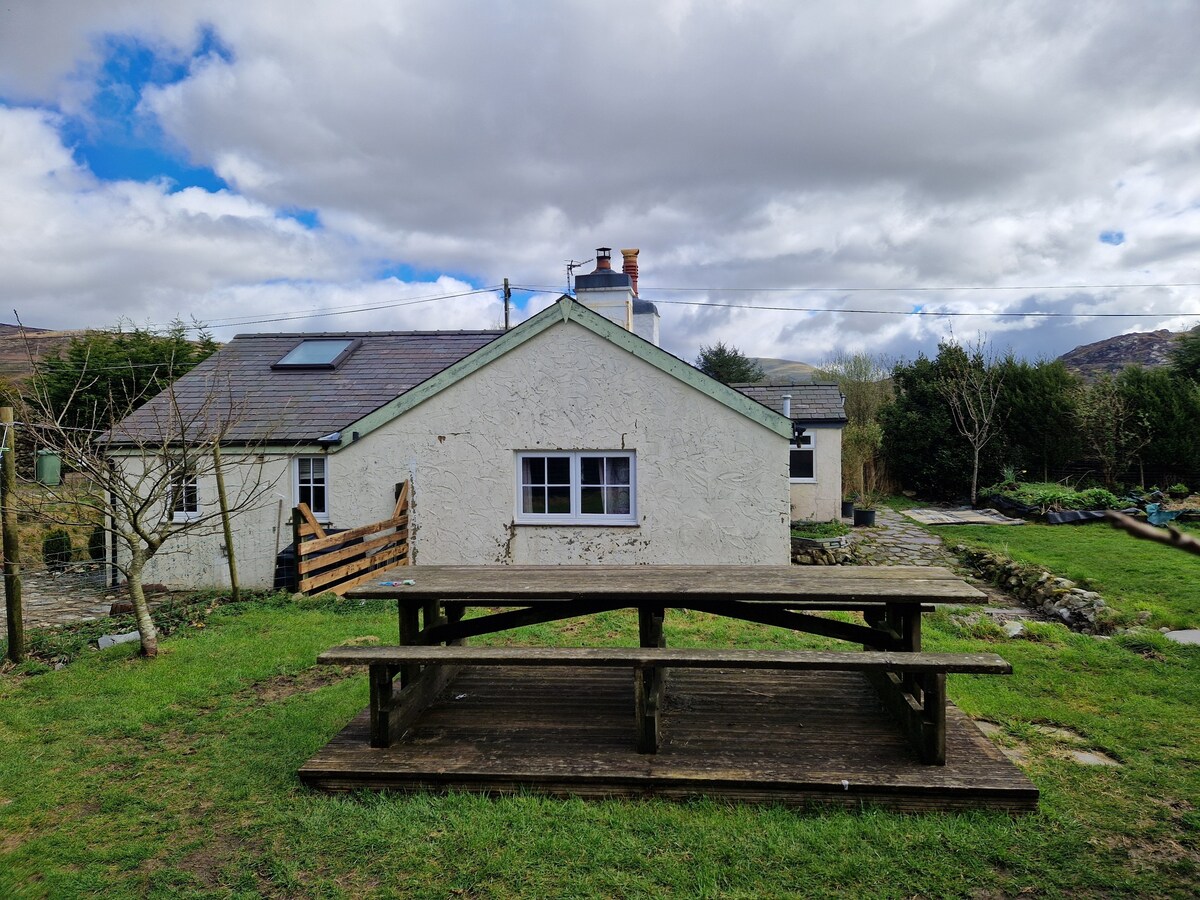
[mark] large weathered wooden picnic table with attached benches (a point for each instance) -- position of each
(890, 598)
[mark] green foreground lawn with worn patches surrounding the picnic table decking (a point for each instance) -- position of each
(122, 777)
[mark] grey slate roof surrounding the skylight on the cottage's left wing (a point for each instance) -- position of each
(238, 386)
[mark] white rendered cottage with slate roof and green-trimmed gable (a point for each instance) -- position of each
(568, 440)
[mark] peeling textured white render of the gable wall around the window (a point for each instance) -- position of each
(712, 485)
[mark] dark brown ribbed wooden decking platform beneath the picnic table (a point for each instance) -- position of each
(760, 737)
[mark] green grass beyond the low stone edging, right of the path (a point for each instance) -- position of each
(1132, 575)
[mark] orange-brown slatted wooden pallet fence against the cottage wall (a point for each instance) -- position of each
(345, 560)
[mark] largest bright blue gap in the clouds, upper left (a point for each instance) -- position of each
(119, 141)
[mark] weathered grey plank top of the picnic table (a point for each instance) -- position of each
(674, 585)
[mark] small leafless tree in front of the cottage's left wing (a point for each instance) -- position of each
(143, 475)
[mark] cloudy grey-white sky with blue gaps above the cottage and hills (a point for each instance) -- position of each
(802, 178)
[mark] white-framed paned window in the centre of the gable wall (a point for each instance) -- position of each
(577, 488)
